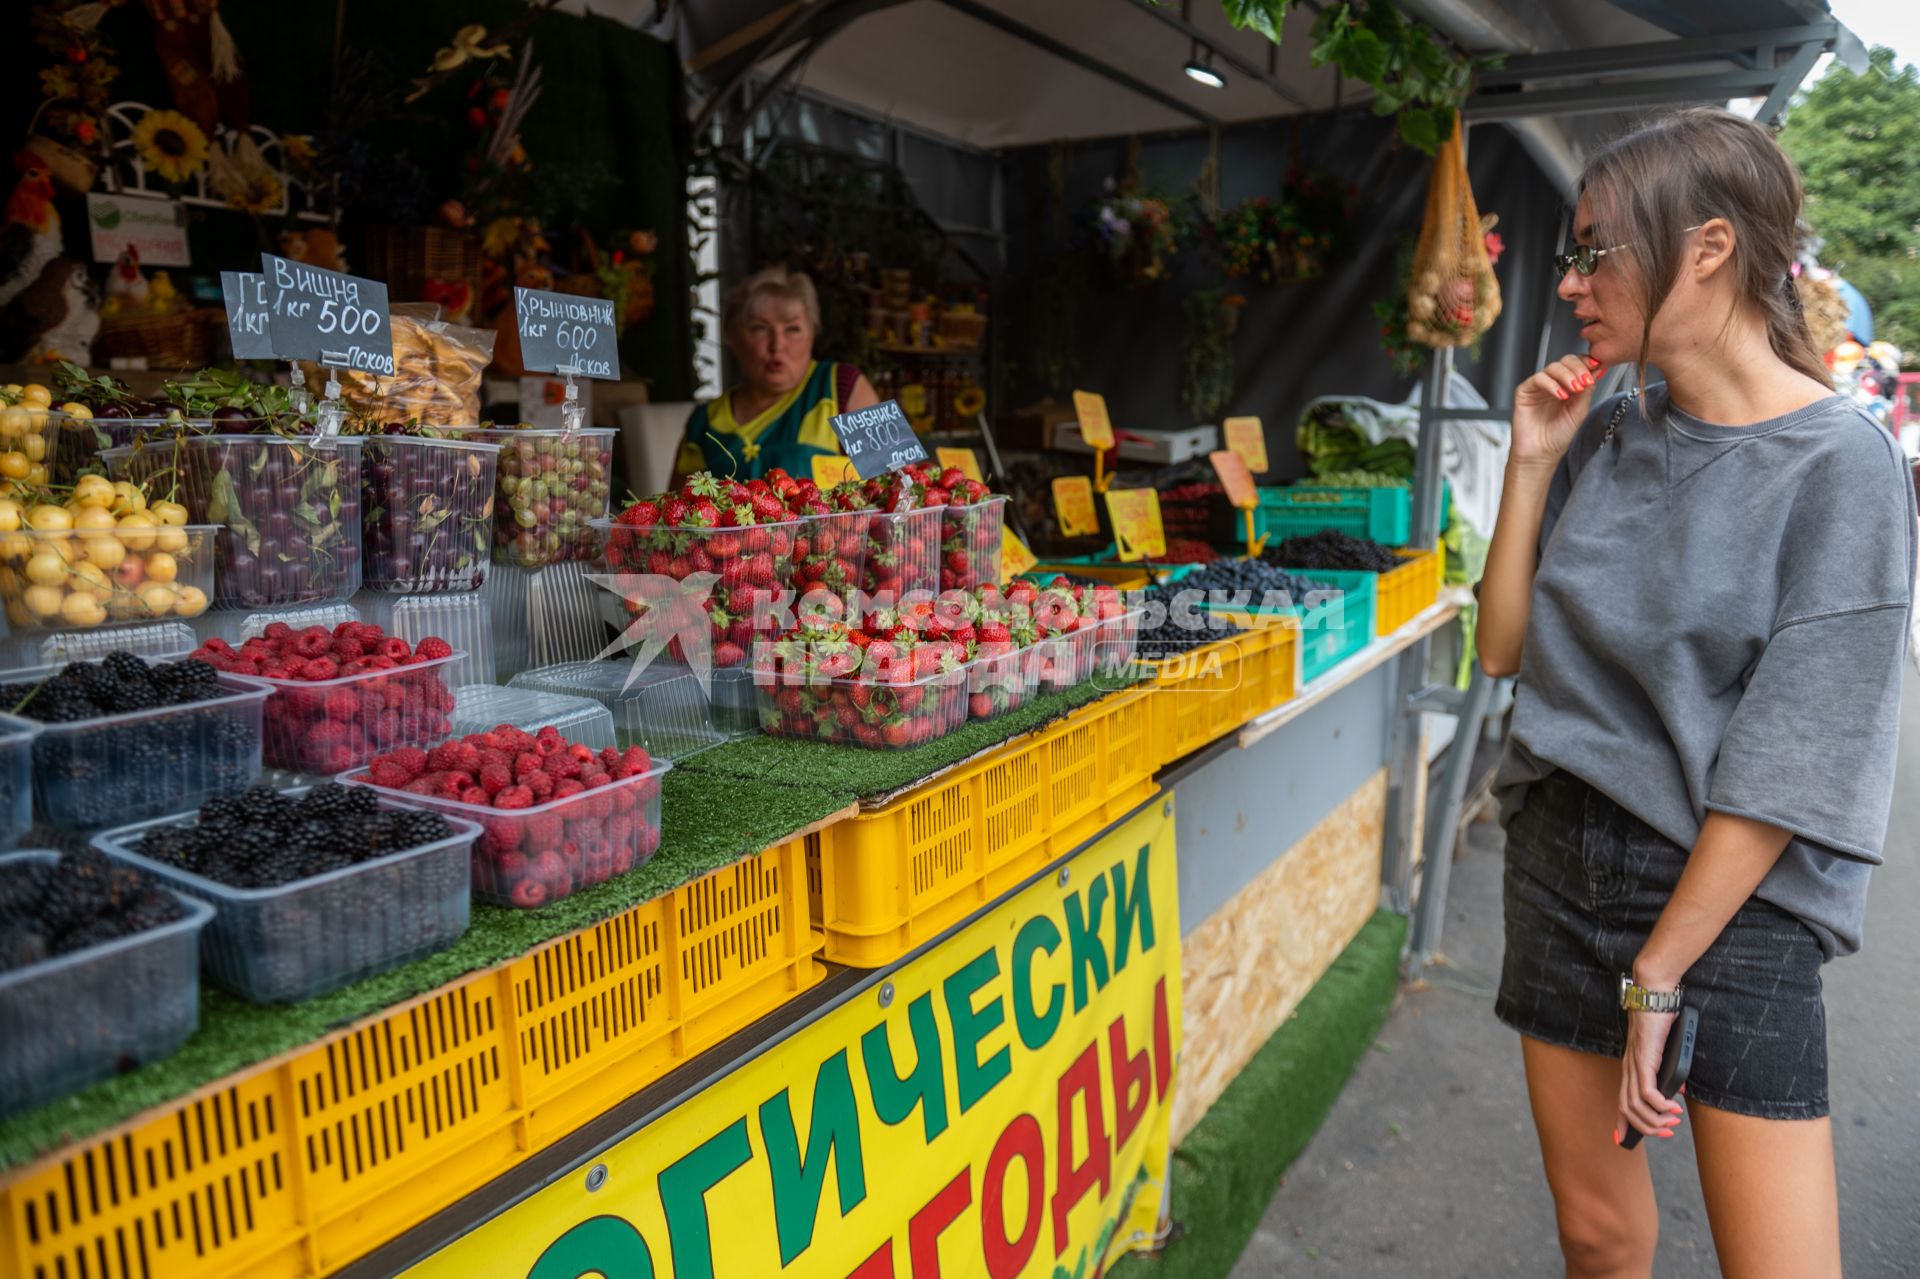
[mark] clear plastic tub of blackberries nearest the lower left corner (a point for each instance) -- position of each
(89, 1015)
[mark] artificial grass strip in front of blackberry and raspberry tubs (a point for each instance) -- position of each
(708, 821)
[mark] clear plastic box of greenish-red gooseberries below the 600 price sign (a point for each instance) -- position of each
(550, 487)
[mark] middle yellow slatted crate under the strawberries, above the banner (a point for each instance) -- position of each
(896, 877)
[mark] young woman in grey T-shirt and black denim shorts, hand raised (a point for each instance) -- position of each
(1704, 592)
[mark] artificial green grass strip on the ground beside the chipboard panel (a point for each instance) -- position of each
(1232, 1163)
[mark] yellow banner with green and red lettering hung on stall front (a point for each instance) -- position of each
(997, 1111)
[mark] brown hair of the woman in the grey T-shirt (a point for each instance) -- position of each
(1683, 170)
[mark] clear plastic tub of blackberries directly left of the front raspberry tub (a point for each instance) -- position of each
(314, 936)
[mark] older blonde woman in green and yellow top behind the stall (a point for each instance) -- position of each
(779, 414)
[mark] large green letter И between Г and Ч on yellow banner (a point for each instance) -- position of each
(834, 1130)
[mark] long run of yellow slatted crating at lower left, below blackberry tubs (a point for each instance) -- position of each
(308, 1163)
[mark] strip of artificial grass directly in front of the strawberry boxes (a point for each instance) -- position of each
(880, 773)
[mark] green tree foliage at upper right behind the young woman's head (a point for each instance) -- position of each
(1858, 145)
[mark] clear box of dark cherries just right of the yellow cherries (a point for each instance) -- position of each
(289, 510)
